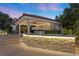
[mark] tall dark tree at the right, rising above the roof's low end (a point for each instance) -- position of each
(70, 17)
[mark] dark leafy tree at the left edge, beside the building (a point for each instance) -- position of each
(5, 20)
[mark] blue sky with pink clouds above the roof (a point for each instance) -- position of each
(50, 10)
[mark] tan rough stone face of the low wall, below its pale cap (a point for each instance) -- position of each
(51, 43)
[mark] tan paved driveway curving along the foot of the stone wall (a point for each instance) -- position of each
(18, 48)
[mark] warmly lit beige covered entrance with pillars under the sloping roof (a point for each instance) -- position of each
(33, 25)
